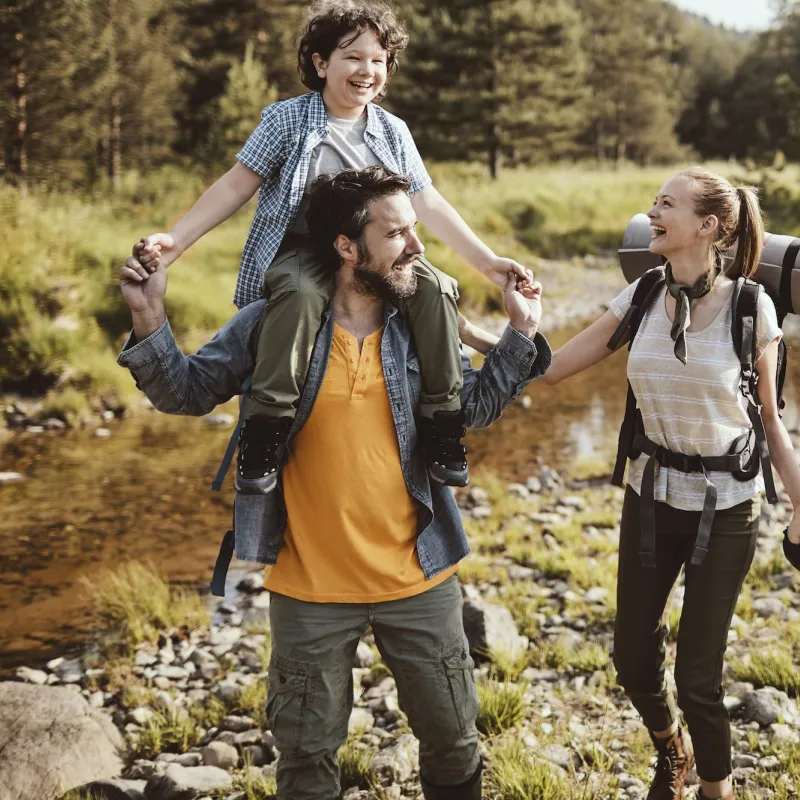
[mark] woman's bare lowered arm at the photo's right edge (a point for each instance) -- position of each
(781, 450)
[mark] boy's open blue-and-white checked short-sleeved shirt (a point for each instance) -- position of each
(279, 150)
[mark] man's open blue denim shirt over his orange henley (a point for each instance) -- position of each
(195, 384)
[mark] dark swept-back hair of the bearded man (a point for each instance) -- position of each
(339, 204)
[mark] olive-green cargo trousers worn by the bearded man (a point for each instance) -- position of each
(310, 695)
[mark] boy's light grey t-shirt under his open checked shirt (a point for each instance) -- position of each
(343, 148)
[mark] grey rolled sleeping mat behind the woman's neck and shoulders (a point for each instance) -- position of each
(778, 267)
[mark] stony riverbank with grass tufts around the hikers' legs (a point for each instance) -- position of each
(539, 608)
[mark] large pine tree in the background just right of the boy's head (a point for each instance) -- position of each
(496, 81)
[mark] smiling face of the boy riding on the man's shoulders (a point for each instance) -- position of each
(355, 74)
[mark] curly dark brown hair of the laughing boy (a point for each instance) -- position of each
(329, 21)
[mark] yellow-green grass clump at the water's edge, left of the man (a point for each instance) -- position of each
(135, 603)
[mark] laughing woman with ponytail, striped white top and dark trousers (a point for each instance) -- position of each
(685, 376)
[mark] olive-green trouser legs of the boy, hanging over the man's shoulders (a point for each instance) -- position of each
(298, 289)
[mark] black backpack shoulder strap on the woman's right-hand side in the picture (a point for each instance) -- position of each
(743, 331)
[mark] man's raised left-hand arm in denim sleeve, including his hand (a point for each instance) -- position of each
(173, 382)
